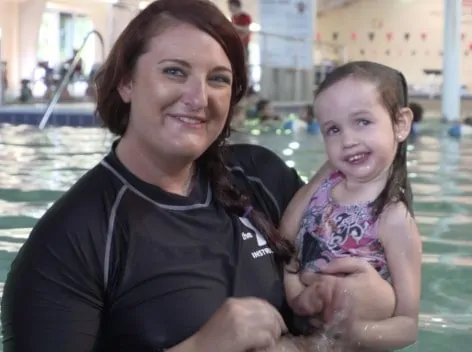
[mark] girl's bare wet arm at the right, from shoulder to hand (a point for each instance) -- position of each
(401, 239)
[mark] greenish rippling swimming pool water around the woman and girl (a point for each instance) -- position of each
(36, 167)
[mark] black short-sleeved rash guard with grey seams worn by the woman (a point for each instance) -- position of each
(117, 264)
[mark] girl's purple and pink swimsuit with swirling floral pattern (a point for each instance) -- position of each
(329, 230)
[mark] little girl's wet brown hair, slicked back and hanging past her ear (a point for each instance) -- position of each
(393, 92)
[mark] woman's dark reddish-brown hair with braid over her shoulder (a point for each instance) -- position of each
(121, 63)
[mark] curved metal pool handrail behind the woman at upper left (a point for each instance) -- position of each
(65, 81)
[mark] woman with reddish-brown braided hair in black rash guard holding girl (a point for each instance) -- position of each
(160, 245)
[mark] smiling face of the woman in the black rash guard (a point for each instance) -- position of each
(179, 94)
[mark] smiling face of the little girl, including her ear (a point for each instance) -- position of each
(360, 139)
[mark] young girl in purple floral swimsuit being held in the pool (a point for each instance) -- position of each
(361, 206)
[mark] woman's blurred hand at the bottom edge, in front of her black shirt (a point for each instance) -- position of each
(240, 325)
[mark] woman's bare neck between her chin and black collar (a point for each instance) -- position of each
(170, 174)
